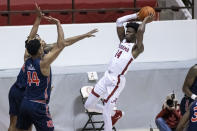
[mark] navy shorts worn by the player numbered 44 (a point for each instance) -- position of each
(34, 113)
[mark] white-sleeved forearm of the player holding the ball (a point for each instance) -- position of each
(120, 21)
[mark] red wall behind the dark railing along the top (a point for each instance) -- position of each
(79, 17)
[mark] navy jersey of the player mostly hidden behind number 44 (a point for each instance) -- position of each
(21, 78)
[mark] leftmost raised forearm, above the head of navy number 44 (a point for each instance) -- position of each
(34, 29)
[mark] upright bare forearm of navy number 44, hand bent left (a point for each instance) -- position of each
(60, 39)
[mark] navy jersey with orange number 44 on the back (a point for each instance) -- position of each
(38, 85)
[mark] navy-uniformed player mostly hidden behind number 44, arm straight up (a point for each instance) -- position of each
(17, 90)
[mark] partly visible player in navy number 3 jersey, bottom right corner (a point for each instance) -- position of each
(190, 118)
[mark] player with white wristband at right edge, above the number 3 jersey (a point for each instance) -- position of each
(189, 89)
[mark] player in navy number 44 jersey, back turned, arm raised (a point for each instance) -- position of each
(34, 107)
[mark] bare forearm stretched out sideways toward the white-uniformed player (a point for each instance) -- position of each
(72, 40)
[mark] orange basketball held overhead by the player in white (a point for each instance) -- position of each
(145, 11)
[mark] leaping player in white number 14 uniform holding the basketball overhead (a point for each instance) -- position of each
(112, 83)
